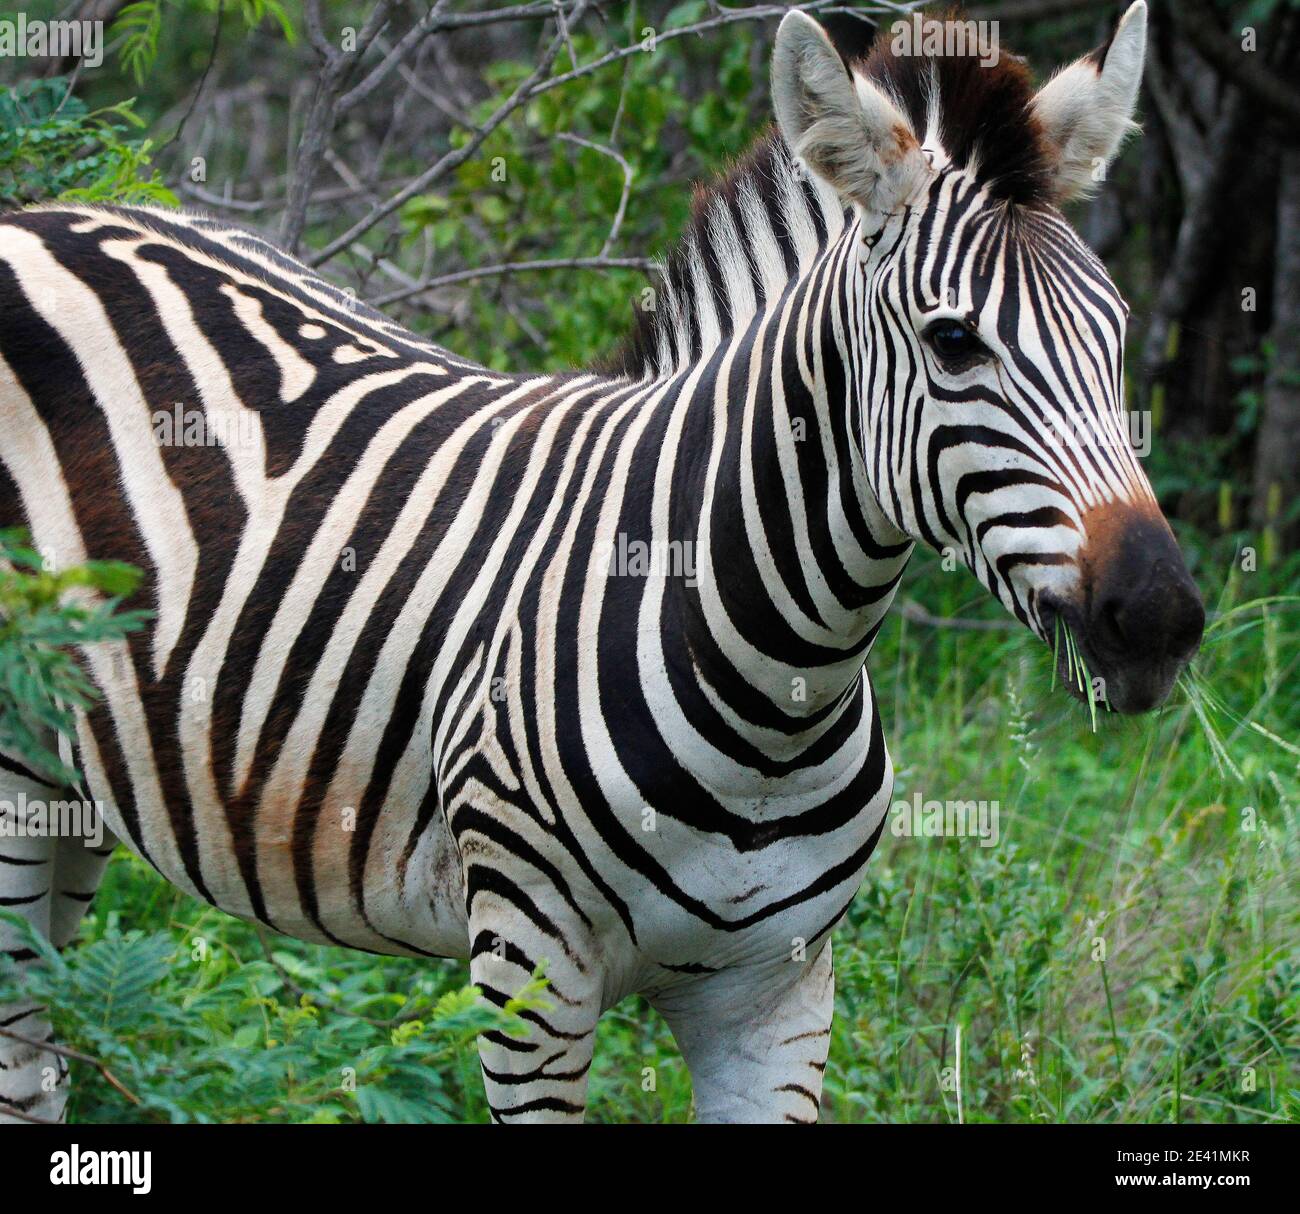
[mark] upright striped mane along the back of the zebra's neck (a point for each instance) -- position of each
(753, 232)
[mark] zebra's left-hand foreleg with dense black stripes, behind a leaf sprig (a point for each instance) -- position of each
(543, 1077)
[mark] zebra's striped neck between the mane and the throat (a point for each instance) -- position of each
(796, 563)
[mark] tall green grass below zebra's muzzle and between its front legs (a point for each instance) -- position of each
(1129, 952)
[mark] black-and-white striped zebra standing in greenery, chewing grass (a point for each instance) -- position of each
(417, 680)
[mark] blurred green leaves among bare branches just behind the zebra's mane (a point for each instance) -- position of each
(528, 196)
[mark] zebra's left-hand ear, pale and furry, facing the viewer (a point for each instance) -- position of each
(840, 125)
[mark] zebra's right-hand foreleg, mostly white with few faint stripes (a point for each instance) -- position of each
(756, 1042)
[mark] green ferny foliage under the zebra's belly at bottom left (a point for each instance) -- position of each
(201, 1018)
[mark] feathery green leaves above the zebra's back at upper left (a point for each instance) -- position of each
(54, 148)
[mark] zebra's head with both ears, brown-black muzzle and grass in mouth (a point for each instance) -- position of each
(986, 340)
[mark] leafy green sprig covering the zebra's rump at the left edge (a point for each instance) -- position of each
(42, 615)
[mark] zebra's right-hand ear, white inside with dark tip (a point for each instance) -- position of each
(1086, 110)
